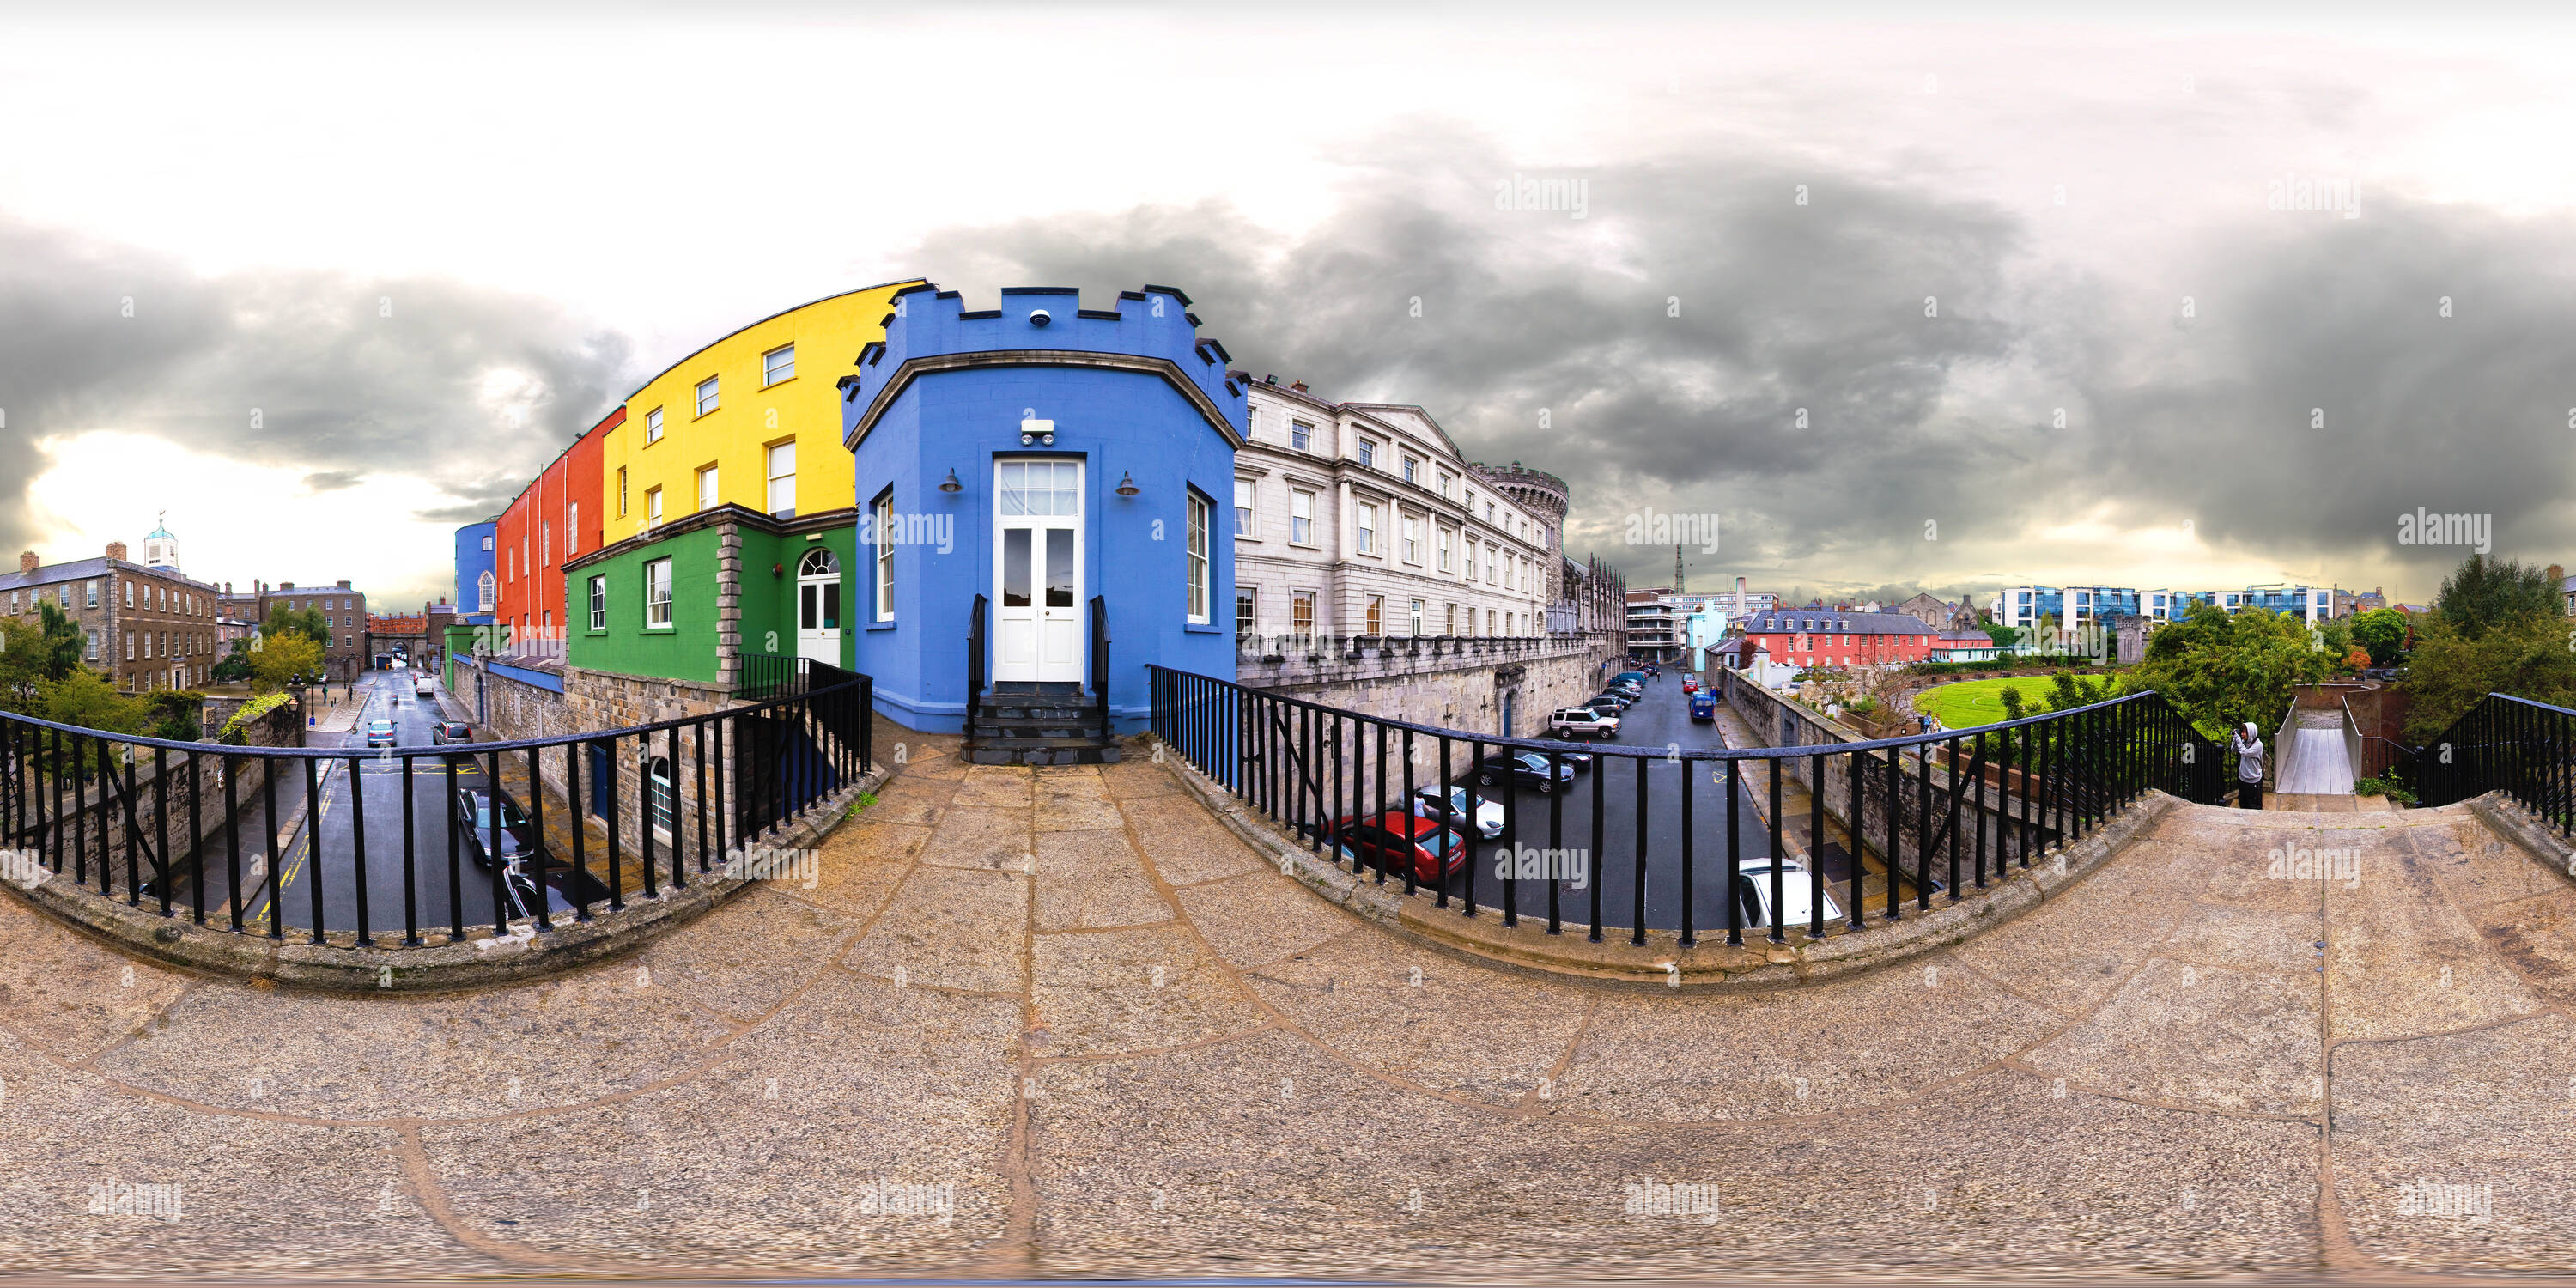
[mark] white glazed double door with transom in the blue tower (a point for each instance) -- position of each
(1037, 573)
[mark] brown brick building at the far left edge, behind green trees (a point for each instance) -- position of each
(143, 627)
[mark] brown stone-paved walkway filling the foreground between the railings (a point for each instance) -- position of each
(1065, 1024)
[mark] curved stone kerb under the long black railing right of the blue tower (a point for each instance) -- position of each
(1709, 965)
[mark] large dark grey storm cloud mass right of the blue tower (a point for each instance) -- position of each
(1910, 419)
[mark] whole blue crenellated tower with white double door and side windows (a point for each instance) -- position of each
(1063, 465)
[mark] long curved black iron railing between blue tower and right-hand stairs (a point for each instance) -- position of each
(1637, 831)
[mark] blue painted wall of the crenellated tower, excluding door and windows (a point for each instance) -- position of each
(1119, 424)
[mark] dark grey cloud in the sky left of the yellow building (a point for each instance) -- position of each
(316, 372)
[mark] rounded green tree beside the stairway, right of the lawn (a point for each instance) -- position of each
(2230, 668)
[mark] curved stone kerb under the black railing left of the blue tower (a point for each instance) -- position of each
(444, 967)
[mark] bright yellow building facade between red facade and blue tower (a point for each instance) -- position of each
(751, 419)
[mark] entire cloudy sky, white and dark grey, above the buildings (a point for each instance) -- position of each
(2005, 300)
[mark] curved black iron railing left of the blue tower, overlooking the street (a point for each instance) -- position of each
(274, 838)
